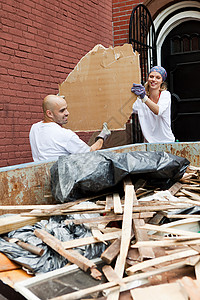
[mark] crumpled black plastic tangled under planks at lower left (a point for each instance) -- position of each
(50, 259)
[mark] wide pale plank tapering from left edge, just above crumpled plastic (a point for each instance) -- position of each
(14, 222)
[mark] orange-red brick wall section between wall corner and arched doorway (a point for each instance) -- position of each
(121, 15)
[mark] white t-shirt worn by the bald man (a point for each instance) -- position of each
(50, 140)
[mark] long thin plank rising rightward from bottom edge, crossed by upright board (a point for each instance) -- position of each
(82, 293)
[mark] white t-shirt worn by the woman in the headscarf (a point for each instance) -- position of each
(156, 128)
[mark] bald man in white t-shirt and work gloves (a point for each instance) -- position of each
(49, 140)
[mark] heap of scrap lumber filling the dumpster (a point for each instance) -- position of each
(152, 246)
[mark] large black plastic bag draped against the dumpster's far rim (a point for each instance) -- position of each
(78, 175)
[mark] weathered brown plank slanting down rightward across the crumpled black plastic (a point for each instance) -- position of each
(71, 255)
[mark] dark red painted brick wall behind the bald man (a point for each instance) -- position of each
(40, 43)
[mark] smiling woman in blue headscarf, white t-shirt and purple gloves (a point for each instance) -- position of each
(153, 106)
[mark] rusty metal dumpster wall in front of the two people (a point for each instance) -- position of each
(29, 183)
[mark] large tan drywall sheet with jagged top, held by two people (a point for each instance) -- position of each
(99, 88)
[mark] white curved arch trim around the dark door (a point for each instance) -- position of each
(174, 21)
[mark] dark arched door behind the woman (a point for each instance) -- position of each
(181, 58)
